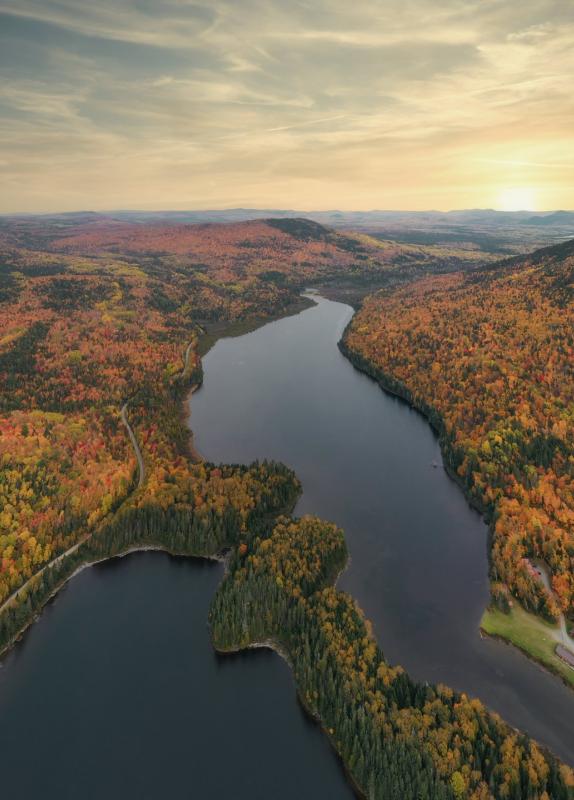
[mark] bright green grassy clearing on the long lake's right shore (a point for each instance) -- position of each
(530, 634)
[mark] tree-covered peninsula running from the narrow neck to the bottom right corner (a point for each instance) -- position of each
(397, 738)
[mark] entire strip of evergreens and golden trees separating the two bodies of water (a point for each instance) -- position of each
(397, 738)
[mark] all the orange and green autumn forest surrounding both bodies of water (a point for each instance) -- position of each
(103, 326)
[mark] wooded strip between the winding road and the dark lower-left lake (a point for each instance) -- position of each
(185, 524)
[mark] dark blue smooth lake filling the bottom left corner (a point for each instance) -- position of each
(116, 694)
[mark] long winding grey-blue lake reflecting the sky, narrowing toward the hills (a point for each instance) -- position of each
(418, 552)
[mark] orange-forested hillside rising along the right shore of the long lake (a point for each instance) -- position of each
(489, 356)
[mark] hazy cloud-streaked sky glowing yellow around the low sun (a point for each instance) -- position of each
(319, 104)
